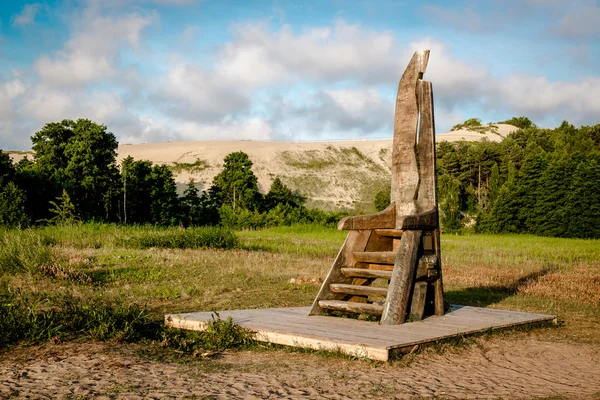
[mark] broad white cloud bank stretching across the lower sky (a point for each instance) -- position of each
(333, 81)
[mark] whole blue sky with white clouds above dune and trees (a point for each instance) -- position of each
(159, 70)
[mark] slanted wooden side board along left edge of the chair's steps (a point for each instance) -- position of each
(355, 241)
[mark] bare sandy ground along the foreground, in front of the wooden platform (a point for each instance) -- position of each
(502, 368)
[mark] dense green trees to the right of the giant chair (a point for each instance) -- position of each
(539, 181)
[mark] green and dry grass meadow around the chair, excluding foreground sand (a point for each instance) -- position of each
(122, 280)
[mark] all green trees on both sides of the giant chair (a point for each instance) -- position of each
(536, 180)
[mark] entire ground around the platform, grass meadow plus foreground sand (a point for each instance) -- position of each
(124, 285)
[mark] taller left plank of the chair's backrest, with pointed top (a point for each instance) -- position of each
(405, 174)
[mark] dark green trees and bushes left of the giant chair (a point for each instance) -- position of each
(74, 176)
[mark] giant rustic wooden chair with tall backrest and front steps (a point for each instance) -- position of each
(398, 247)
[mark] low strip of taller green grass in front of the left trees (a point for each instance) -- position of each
(191, 238)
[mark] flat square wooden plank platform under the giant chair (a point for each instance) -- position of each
(293, 327)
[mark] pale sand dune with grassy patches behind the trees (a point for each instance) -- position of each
(330, 175)
